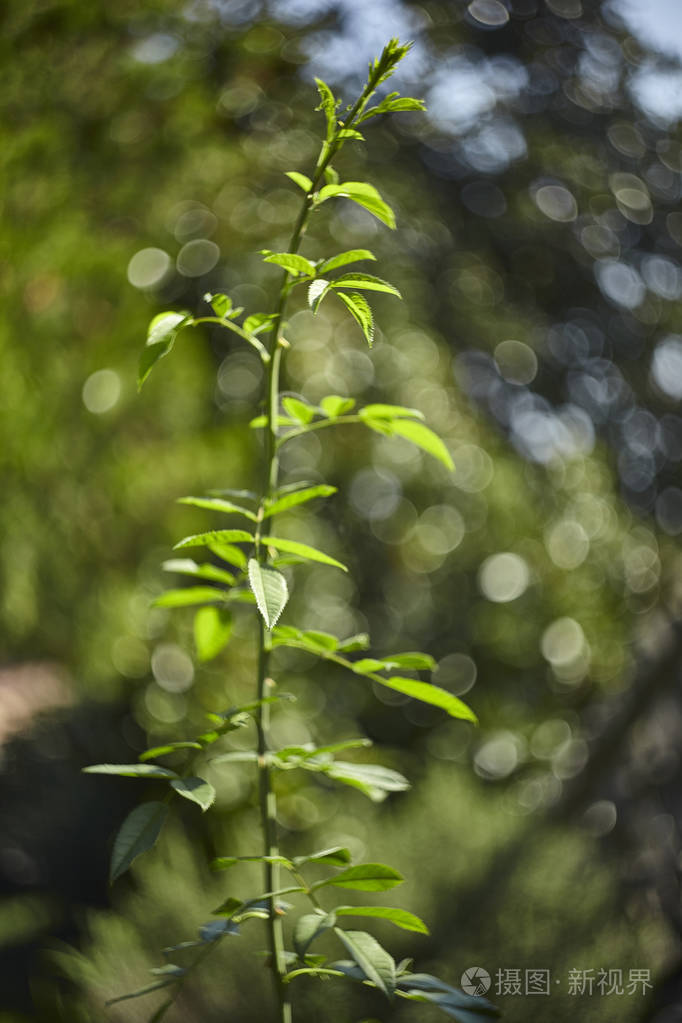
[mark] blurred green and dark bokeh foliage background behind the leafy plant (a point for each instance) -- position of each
(538, 250)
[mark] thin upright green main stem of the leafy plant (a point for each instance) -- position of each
(267, 797)
